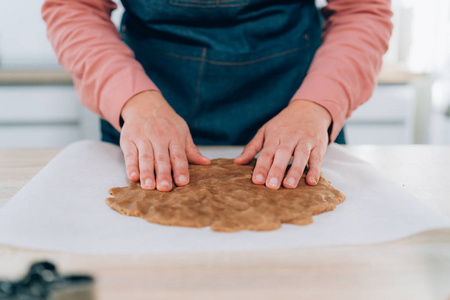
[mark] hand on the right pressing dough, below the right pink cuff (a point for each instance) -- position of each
(300, 130)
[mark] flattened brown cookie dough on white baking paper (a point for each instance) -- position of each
(223, 196)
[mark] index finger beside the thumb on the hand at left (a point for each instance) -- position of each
(179, 162)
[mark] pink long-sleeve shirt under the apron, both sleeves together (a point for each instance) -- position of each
(341, 77)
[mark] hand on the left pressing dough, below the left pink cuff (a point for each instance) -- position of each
(155, 141)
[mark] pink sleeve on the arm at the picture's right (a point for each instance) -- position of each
(343, 72)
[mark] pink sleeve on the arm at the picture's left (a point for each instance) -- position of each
(88, 46)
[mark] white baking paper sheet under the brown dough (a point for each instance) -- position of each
(63, 208)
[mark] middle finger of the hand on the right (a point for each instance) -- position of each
(280, 162)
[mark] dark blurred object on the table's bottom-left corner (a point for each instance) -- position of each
(43, 282)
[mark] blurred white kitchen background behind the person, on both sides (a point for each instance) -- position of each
(411, 104)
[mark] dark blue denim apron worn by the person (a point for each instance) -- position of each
(225, 66)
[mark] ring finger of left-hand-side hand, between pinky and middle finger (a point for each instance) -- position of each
(147, 166)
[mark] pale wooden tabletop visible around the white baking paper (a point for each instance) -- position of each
(413, 268)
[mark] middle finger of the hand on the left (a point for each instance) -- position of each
(163, 167)
